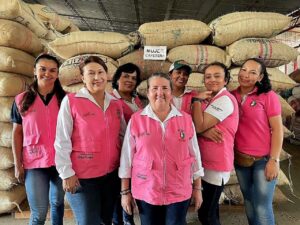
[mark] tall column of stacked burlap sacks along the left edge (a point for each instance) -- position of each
(17, 45)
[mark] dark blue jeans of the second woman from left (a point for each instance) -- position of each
(94, 200)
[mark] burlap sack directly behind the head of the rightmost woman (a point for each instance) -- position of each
(279, 80)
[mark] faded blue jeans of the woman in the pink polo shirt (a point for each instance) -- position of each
(258, 193)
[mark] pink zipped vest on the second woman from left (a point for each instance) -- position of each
(96, 137)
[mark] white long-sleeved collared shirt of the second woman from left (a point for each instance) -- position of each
(64, 130)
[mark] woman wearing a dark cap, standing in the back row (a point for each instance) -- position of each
(182, 97)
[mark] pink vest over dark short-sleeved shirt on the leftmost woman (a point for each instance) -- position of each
(39, 128)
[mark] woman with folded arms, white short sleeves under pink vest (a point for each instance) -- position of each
(215, 112)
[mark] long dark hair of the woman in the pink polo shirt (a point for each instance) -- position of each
(264, 86)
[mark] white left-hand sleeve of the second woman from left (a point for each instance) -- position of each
(63, 143)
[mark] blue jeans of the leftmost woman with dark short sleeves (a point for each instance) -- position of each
(41, 183)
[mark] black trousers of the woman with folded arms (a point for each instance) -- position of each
(208, 213)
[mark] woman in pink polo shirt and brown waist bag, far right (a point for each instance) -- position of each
(258, 141)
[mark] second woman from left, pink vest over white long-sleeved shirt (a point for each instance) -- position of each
(88, 140)
